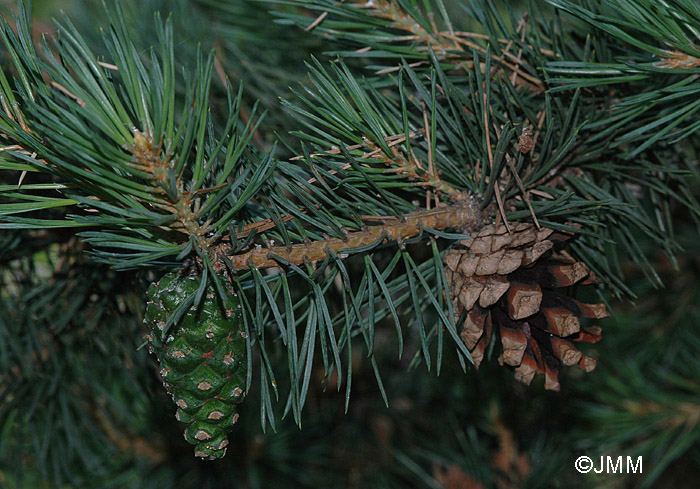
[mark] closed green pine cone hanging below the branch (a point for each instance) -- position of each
(202, 359)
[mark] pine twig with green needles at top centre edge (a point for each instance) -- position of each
(402, 30)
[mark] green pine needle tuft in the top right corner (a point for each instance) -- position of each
(659, 58)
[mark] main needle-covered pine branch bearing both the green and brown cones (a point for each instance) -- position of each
(161, 181)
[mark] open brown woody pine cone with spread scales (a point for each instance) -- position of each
(507, 281)
